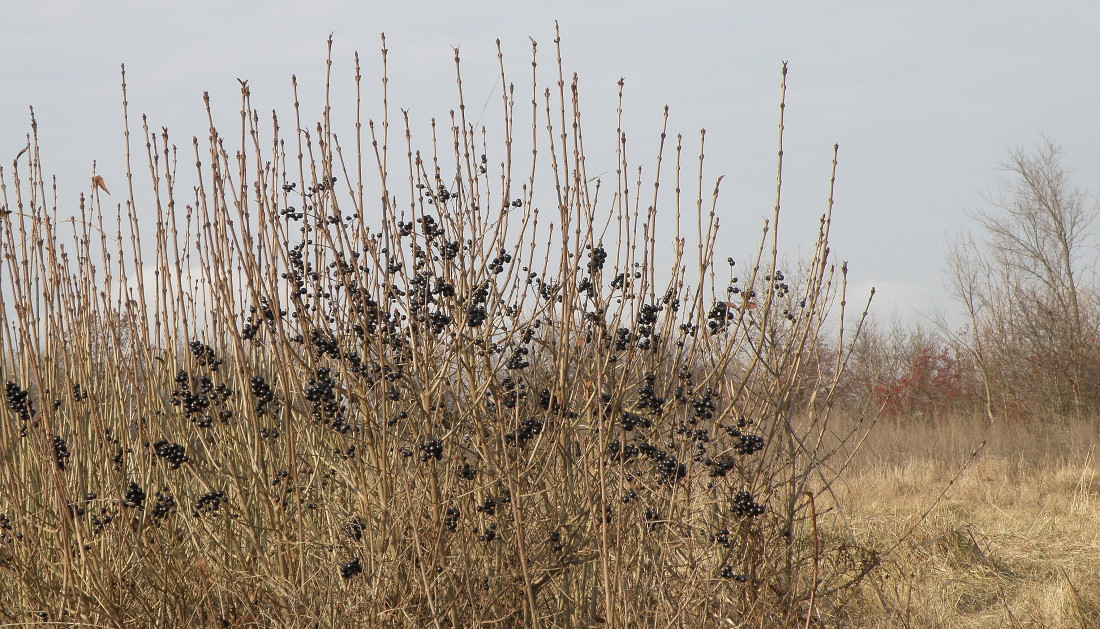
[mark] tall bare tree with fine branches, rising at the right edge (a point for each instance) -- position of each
(1028, 289)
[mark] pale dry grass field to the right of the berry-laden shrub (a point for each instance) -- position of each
(1014, 543)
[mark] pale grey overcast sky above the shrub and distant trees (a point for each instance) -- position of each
(926, 100)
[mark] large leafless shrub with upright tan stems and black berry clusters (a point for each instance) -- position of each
(474, 393)
